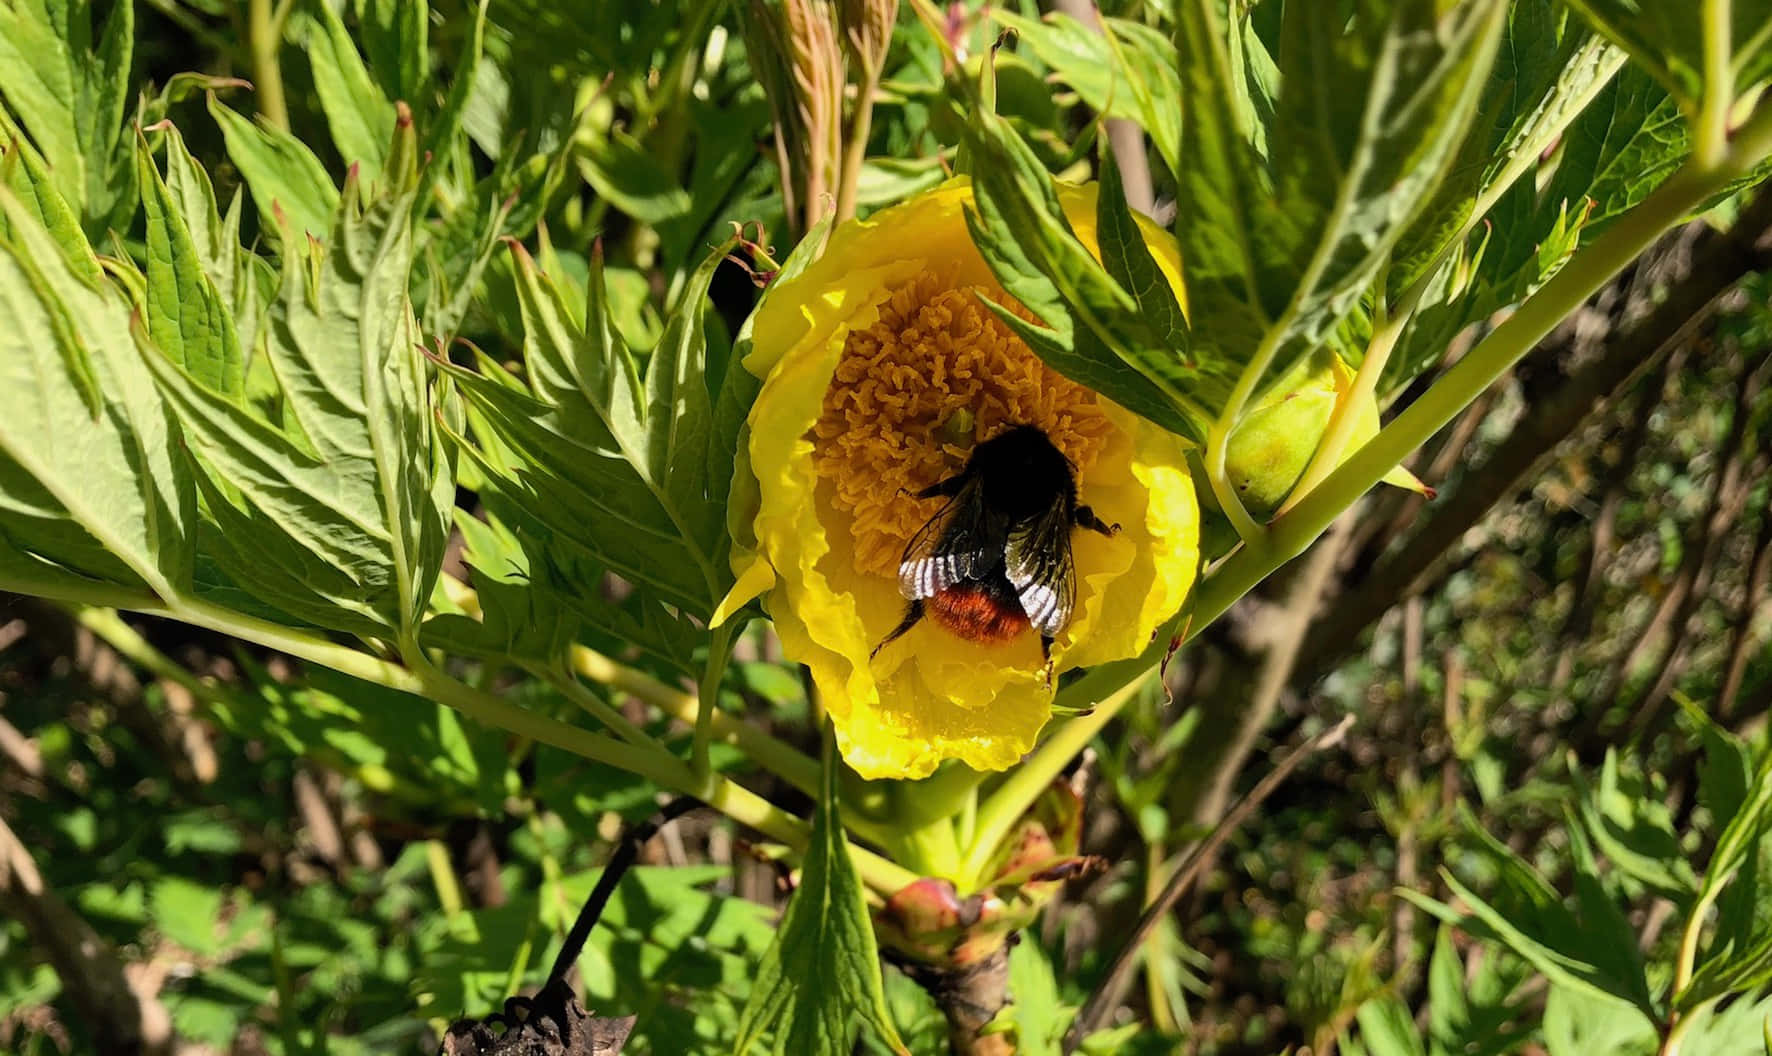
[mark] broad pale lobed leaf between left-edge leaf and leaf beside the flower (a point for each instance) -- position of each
(339, 513)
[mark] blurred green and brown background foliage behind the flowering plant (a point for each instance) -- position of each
(290, 862)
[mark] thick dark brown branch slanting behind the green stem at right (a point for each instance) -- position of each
(1697, 283)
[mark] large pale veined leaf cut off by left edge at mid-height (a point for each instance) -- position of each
(86, 446)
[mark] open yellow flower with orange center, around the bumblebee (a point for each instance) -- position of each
(882, 371)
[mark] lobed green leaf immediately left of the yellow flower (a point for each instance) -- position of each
(621, 463)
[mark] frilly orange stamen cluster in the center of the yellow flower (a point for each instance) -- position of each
(937, 375)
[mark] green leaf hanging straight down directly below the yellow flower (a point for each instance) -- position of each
(821, 979)
